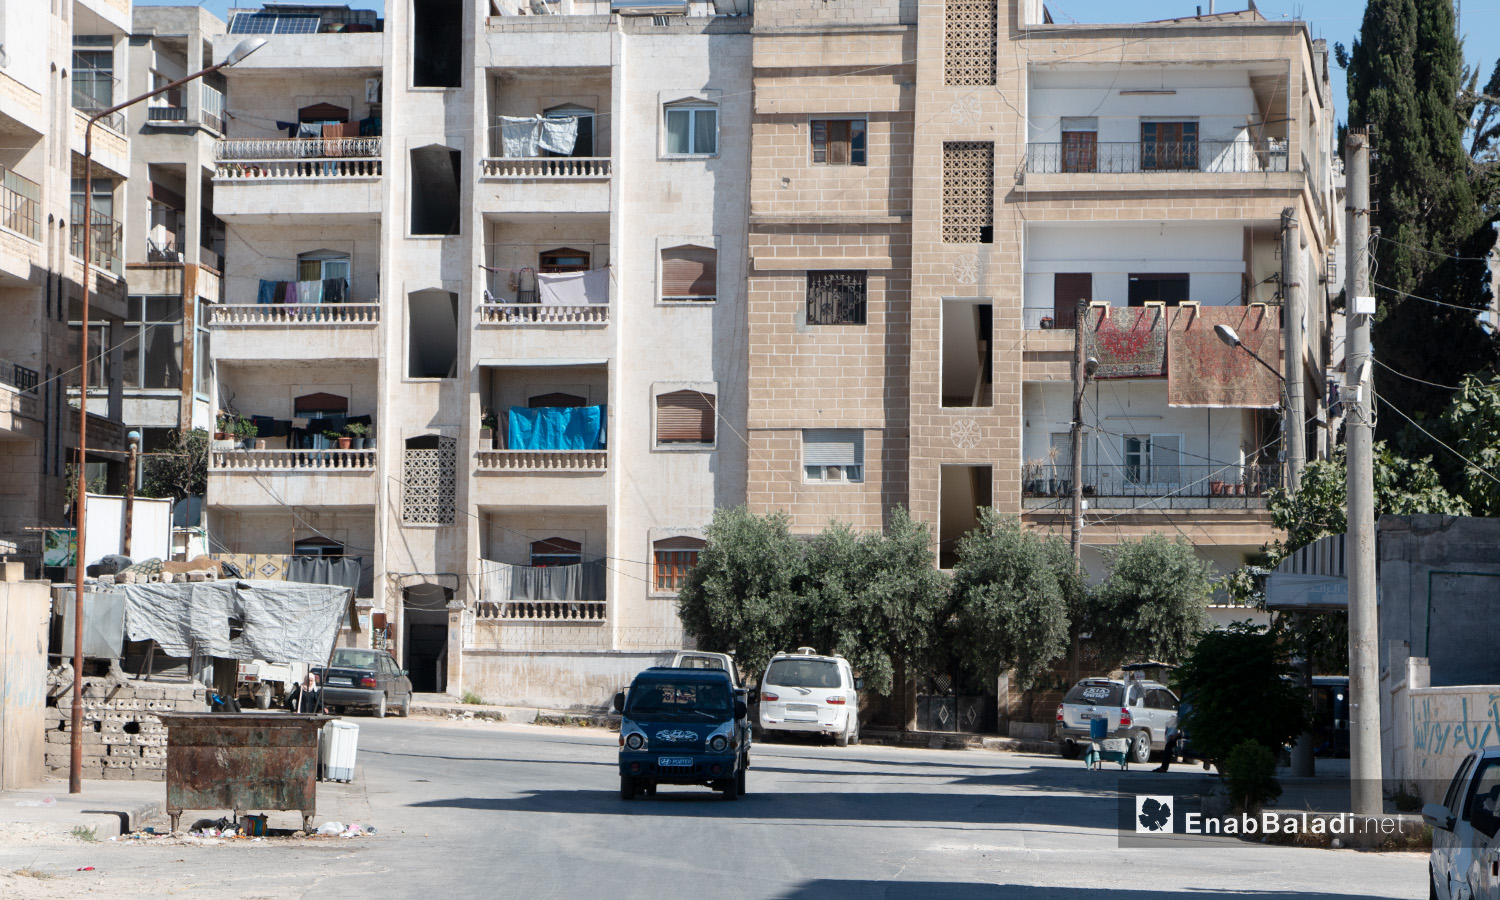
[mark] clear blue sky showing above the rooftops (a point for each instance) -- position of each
(1337, 20)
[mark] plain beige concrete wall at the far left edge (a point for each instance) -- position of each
(25, 610)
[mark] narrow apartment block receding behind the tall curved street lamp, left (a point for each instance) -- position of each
(175, 248)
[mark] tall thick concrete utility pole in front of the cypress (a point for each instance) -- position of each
(1364, 662)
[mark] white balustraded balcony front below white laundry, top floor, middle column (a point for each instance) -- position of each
(545, 185)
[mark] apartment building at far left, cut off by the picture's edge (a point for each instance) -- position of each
(61, 61)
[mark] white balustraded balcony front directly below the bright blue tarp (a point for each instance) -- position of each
(542, 478)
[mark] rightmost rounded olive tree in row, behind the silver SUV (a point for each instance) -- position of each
(1154, 601)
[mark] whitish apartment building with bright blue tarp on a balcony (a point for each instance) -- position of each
(523, 233)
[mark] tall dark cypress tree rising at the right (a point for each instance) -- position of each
(1435, 206)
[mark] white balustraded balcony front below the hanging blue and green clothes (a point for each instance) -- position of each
(296, 332)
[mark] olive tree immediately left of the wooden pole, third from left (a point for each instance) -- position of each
(1012, 613)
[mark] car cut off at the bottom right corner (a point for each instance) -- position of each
(1466, 850)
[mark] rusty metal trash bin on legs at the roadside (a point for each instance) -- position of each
(241, 763)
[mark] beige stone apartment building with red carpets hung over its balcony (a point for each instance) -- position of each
(938, 185)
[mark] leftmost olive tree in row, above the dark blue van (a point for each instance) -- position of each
(743, 595)
